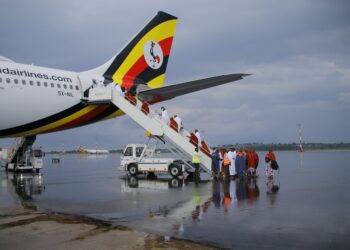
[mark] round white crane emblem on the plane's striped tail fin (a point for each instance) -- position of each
(153, 54)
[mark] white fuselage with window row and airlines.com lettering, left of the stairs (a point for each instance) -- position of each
(30, 94)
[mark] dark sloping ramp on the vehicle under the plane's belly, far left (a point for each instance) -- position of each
(19, 147)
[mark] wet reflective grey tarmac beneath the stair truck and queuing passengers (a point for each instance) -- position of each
(305, 206)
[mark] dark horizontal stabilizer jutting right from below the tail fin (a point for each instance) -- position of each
(168, 92)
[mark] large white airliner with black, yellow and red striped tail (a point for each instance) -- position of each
(37, 100)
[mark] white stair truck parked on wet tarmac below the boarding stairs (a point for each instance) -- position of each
(138, 158)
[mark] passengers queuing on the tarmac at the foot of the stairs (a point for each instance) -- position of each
(233, 164)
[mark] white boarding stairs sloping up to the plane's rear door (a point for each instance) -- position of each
(180, 143)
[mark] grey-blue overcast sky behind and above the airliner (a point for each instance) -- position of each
(298, 52)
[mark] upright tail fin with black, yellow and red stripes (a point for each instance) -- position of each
(145, 58)
